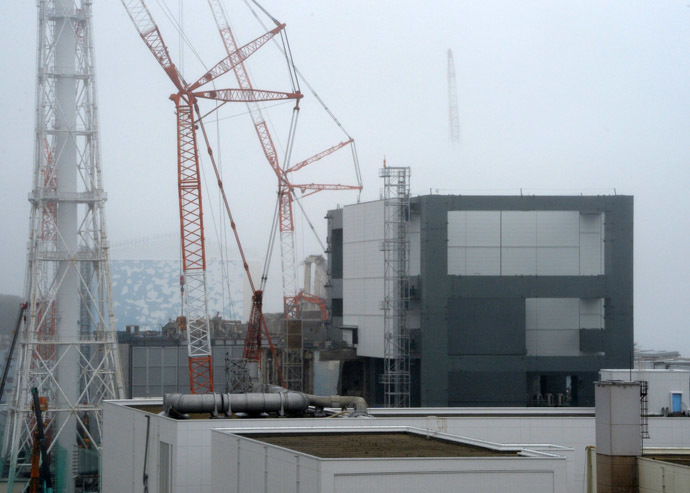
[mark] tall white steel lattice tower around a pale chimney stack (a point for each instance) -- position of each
(68, 341)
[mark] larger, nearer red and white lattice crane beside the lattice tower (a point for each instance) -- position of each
(189, 183)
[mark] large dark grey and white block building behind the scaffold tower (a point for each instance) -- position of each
(514, 300)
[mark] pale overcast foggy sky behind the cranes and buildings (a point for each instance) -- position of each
(576, 96)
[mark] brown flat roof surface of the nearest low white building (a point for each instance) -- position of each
(368, 445)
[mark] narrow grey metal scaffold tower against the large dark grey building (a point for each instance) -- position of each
(396, 377)
